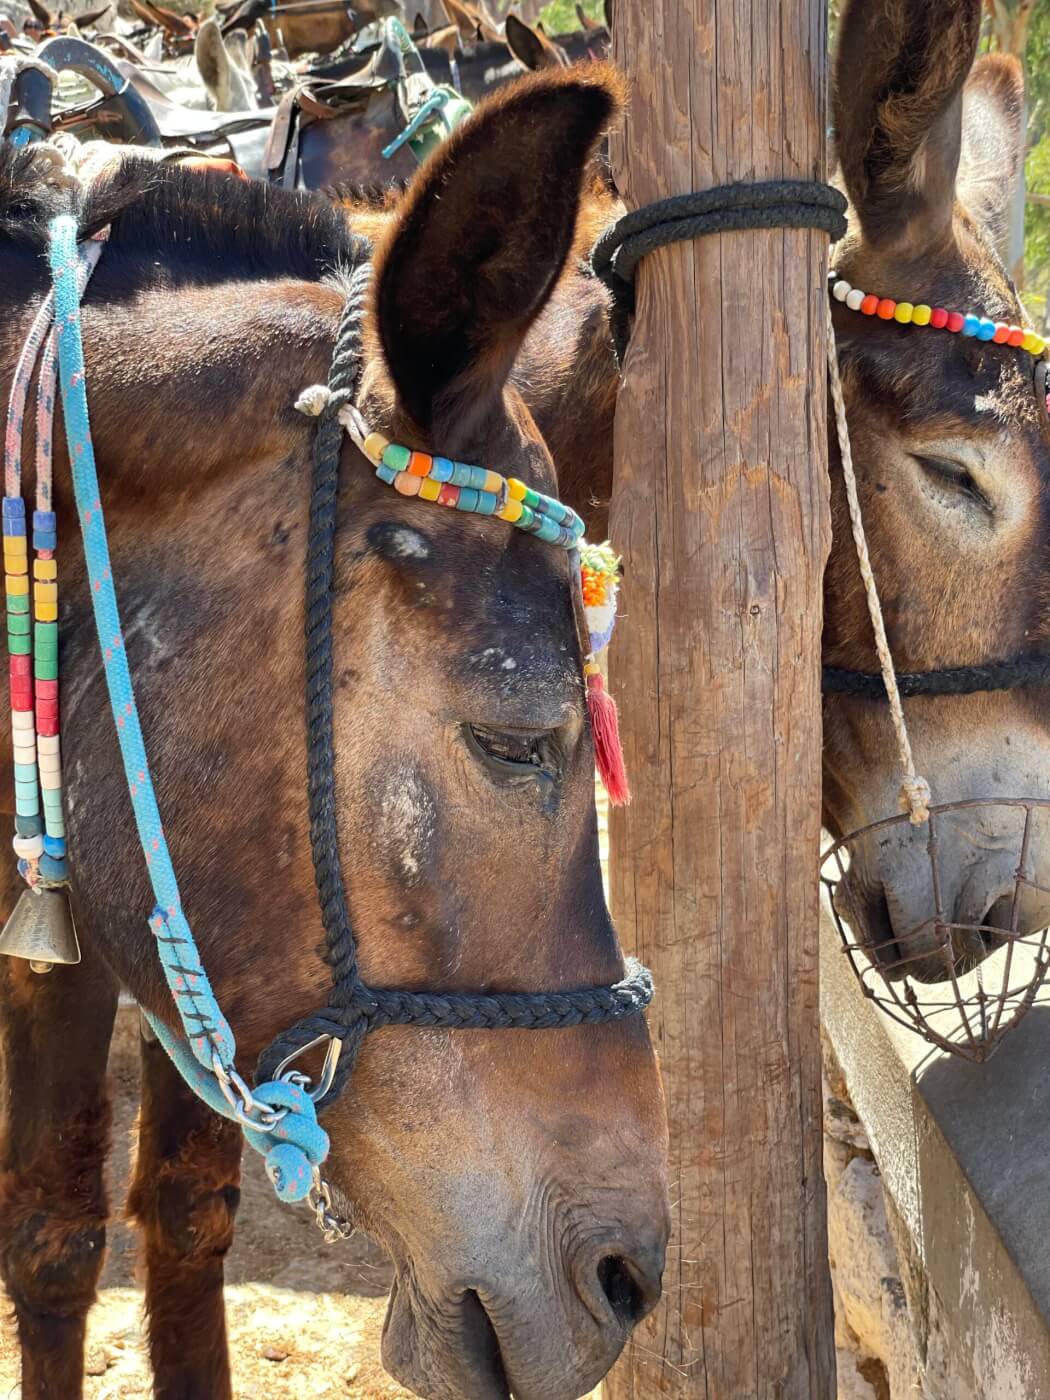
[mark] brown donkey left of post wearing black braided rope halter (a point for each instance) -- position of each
(517, 1181)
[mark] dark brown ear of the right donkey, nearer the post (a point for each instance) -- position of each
(899, 73)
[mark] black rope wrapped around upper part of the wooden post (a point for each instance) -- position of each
(780, 204)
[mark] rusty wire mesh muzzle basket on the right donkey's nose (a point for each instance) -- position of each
(983, 993)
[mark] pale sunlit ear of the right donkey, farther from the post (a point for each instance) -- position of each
(993, 139)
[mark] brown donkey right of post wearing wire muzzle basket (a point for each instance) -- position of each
(953, 449)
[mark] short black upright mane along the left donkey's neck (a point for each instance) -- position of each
(212, 227)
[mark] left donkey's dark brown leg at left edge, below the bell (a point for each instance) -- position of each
(54, 1041)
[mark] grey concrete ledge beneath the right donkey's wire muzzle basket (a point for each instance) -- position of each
(965, 1158)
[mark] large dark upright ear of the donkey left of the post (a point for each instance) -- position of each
(482, 239)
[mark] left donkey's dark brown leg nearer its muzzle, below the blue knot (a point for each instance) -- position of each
(184, 1198)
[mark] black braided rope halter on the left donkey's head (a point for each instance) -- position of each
(355, 1009)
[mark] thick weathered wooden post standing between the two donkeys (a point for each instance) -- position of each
(722, 512)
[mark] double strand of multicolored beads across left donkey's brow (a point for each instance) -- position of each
(472, 489)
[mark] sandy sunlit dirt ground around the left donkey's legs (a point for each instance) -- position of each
(304, 1317)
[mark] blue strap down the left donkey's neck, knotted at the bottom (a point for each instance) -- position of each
(297, 1144)
